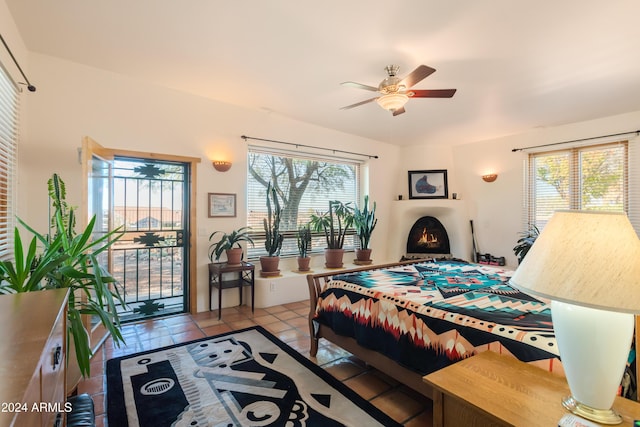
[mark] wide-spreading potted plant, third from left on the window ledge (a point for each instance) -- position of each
(334, 223)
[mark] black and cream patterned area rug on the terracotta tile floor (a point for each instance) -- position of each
(242, 378)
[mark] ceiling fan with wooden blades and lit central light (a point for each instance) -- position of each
(395, 92)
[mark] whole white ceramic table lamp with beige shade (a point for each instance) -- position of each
(588, 265)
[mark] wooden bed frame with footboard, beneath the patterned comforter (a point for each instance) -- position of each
(378, 360)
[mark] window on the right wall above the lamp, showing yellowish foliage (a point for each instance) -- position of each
(586, 178)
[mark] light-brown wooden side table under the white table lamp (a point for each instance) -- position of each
(494, 390)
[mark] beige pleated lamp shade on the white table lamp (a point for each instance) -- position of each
(585, 258)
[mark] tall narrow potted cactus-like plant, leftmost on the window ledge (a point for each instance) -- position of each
(273, 237)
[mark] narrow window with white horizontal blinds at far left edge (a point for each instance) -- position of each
(9, 108)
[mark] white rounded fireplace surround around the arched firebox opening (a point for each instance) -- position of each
(451, 213)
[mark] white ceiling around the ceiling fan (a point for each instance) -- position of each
(517, 65)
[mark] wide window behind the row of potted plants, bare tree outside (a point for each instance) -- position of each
(305, 184)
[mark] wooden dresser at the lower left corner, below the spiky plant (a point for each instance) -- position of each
(33, 355)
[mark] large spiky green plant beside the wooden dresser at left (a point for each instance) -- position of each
(67, 259)
